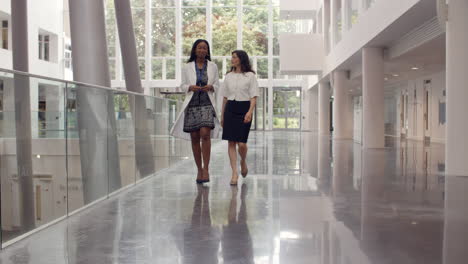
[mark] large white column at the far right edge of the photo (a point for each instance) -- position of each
(457, 90)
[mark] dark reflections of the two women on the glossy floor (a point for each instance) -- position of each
(201, 239)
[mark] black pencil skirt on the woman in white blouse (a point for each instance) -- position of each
(234, 127)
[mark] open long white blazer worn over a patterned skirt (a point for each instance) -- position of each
(189, 77)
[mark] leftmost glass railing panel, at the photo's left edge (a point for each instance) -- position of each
(32, 171)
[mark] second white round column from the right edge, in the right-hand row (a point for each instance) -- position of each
(373, 98)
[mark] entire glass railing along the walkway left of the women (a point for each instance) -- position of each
(74, 144)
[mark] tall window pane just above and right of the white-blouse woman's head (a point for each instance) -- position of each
(255, 30)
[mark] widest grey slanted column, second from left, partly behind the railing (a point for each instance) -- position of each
(100, 162)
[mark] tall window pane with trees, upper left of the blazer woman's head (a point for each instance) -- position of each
(163, 37)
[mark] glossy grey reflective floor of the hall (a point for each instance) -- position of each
(306, 200)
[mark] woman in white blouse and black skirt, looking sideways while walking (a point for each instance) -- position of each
(240, 96)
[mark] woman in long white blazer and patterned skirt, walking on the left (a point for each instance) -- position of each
(197, 120)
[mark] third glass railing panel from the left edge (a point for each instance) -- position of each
(124, 117)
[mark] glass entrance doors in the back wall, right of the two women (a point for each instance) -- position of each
(287, 108)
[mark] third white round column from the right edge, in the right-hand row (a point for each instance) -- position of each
(342, 126)
